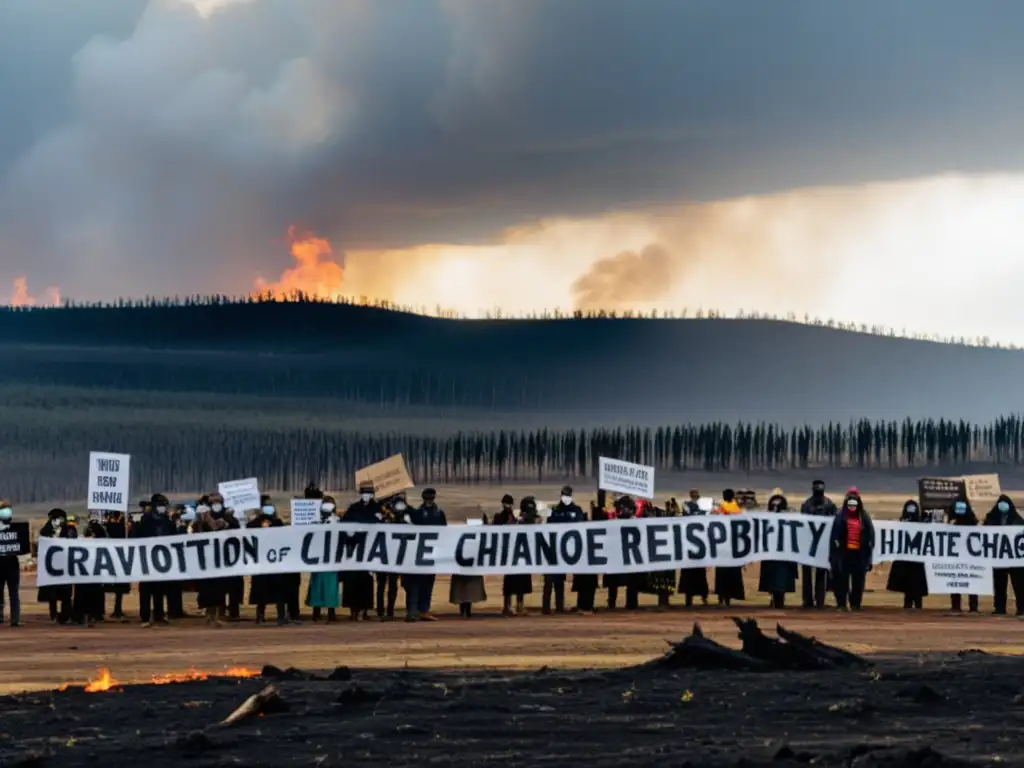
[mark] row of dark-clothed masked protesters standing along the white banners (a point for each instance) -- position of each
(361, 593)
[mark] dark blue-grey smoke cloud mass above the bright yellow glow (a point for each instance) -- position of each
(170, 155)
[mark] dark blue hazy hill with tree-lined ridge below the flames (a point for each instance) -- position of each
(637, 371)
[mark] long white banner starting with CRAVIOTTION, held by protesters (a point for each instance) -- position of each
(613, 547)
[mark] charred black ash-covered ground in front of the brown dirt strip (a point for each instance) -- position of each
(940, 710)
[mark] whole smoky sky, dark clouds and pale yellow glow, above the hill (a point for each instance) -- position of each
(160, 148)
